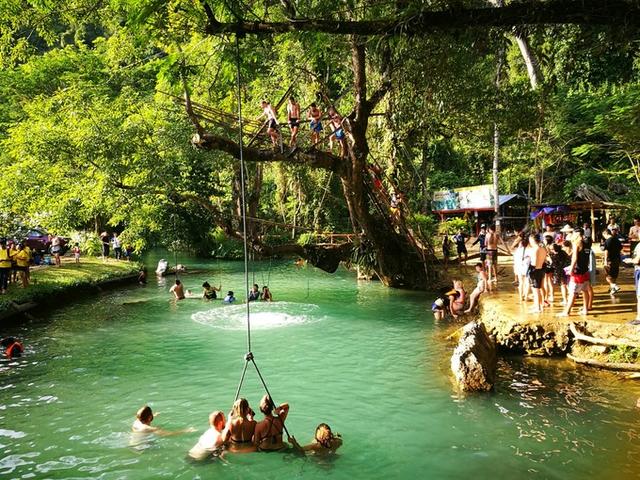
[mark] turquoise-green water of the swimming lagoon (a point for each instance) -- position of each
(367, 360)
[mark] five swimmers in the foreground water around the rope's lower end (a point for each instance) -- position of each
(241, 433)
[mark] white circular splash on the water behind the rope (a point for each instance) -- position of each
(263, 316)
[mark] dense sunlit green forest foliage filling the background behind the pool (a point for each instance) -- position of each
(90, 142)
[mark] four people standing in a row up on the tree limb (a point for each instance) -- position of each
(314, 116)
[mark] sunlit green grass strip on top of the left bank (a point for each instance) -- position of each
(50, 280)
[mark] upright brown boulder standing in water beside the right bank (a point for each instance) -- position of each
(474, 360)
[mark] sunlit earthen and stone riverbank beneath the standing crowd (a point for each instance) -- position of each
(603, 338)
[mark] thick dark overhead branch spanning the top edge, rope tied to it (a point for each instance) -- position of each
(590, 12)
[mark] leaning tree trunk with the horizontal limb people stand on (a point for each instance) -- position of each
(400, 260)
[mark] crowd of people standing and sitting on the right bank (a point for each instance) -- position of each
(547, 266)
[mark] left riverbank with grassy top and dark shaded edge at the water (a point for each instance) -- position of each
(51, 285)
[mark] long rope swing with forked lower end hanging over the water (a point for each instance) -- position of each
(249, 355)
